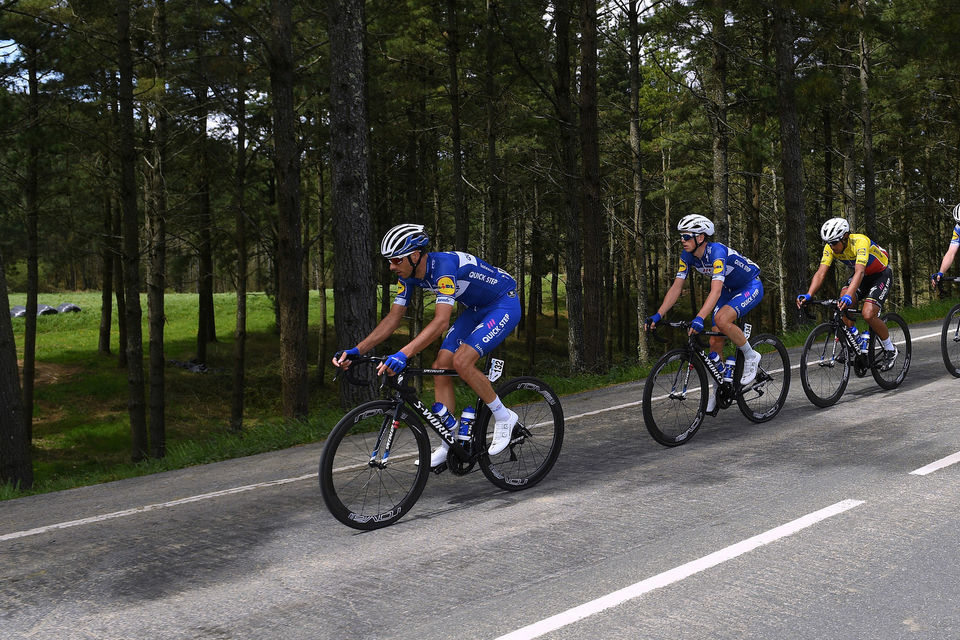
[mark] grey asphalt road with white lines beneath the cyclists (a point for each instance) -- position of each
(823, 523)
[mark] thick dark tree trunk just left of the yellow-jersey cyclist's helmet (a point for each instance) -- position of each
(795, 249)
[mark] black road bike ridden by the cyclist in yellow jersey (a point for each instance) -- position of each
(831, 351)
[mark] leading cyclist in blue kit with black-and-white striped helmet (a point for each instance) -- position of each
(491, 311)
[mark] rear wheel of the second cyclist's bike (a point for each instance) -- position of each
(763, 398)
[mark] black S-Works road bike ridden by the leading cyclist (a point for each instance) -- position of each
(375, 463)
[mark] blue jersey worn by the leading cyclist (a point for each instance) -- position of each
(461, 277)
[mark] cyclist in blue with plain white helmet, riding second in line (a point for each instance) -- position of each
(735, 289)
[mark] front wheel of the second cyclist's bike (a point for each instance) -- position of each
(661, 400)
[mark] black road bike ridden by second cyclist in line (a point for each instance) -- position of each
(676, 392)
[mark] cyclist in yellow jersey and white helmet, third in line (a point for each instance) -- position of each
(870, 281)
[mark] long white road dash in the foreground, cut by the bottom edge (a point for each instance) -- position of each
(638, 589)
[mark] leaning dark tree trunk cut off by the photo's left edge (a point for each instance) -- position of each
(15, 466)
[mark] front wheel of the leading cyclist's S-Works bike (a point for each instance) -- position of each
(363, 495)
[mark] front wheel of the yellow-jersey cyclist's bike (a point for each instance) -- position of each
(824, 365)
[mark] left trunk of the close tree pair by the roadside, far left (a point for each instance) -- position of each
(131, 238)
